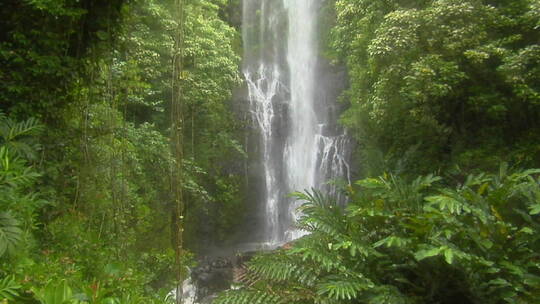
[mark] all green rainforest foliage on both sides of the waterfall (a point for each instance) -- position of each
(443, 102)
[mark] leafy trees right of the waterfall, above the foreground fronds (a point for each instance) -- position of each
(435, 83)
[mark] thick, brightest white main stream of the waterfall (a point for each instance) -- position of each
(301, 148)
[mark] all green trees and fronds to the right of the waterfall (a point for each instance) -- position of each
(446, 87)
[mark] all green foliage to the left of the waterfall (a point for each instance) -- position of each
(85, 199)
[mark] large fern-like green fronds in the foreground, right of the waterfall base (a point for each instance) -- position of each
(416, 242)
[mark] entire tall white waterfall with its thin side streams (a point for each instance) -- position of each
(301, 146)
